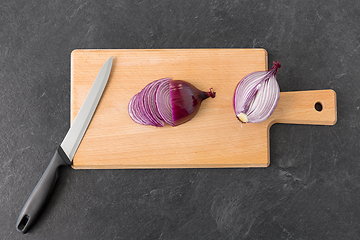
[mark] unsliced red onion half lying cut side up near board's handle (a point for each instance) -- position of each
(257, 95)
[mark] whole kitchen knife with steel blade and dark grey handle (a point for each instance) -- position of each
(65, 152)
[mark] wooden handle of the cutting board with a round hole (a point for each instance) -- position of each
(316, 107)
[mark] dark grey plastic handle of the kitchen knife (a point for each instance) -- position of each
(41, 192)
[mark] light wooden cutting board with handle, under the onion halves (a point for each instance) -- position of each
(213, 139)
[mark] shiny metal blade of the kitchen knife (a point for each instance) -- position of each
(75, 134)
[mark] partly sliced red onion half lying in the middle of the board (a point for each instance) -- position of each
(171, 101)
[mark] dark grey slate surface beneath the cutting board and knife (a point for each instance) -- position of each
(311, 190)
